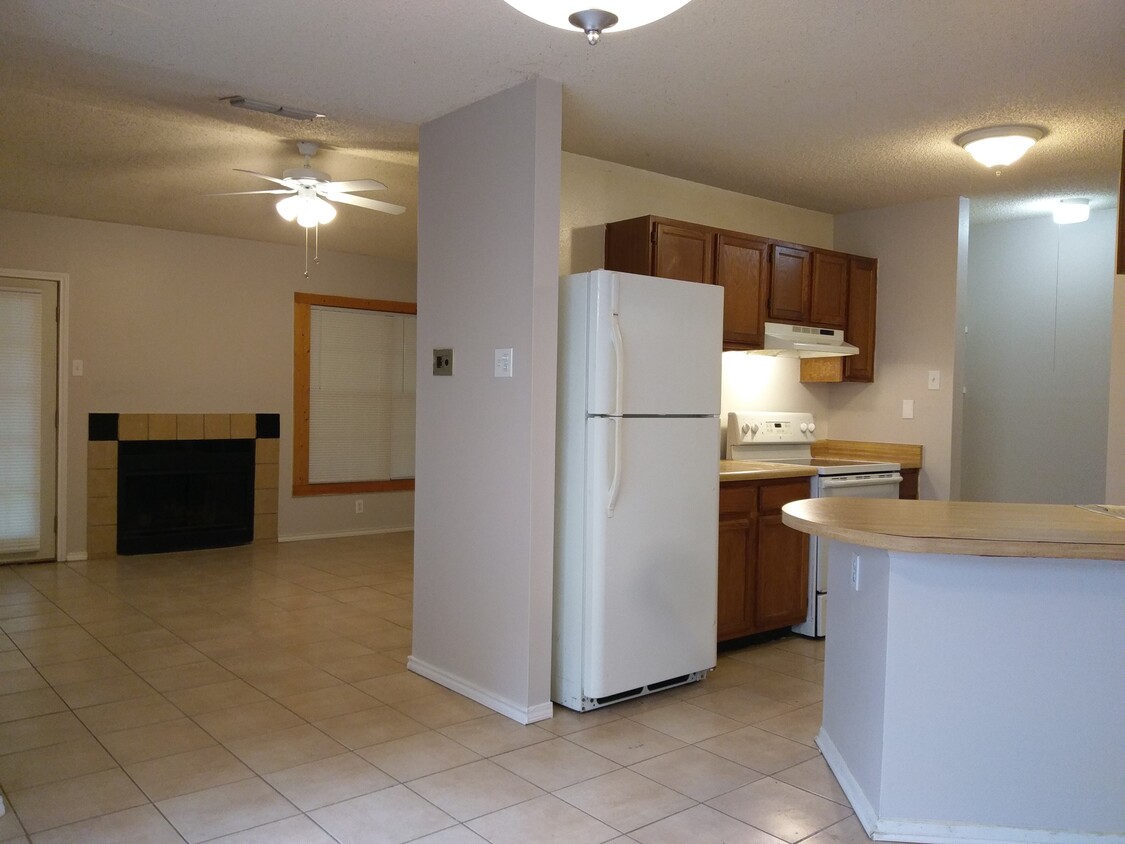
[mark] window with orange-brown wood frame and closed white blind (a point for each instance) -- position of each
(355, 364)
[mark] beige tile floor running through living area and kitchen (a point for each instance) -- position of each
(259, 695)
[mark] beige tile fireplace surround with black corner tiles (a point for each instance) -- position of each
(107, 429)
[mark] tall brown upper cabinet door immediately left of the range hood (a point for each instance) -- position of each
(741, 268)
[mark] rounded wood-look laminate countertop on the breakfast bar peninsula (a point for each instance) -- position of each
(962, 527)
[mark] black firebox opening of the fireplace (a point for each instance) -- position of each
(176, 496)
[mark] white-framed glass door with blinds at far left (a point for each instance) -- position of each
(29, 401)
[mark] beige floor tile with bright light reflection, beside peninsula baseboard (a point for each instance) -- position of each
(782, 811)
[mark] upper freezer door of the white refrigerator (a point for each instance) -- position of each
(655, 346)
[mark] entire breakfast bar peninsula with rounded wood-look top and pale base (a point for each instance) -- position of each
(975, 668)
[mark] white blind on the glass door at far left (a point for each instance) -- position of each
(21, 397)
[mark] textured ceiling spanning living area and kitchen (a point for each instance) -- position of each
(112, 111)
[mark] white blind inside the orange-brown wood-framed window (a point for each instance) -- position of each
(362, 396)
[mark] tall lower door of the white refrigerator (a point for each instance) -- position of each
(652, 565)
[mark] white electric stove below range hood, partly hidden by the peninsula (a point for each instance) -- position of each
(788, 438)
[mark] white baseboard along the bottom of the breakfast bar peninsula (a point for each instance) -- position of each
(930, 832)
